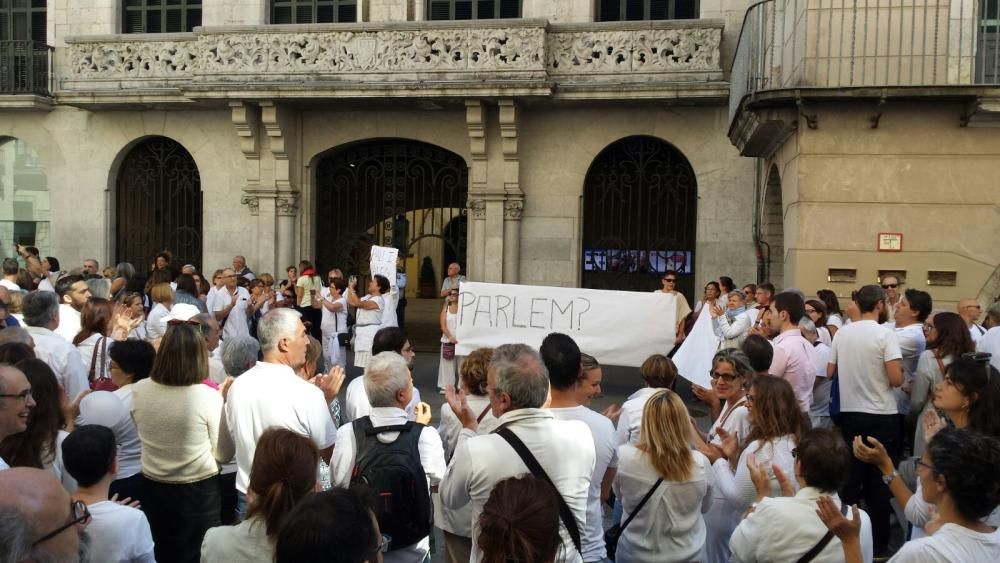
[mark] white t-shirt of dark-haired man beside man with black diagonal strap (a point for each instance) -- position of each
(603, 433)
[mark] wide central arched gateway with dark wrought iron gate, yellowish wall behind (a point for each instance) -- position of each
(390, 192)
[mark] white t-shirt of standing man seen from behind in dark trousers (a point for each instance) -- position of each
(860, 352)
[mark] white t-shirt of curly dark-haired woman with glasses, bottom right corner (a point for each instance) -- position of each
(951, 543)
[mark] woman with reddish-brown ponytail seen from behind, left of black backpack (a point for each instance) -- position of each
(282, 474)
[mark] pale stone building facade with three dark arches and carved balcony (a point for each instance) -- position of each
(477, 137)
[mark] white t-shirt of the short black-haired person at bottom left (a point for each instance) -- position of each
(119, 534)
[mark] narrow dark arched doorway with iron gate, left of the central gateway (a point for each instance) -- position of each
(158, 204)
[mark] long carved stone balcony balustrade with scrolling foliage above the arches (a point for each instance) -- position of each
(451, 58)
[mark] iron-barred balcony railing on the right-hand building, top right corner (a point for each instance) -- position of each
(797, 44)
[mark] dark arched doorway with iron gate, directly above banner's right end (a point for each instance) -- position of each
(640, 203)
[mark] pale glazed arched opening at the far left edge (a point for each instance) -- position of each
(24, 198)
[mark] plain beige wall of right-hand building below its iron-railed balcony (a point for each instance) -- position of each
(919, 173)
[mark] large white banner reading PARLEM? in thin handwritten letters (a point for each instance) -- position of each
(620, 328)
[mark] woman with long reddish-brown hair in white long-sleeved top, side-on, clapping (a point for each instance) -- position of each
(776, 422)
